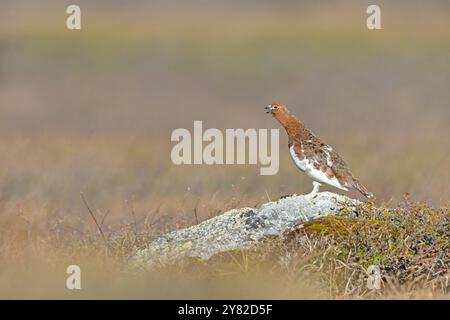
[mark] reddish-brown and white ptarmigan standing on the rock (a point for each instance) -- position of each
(317, 159)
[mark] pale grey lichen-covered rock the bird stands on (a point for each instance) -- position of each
(240, 228)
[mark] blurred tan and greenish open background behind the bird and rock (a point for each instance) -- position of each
(92, 110)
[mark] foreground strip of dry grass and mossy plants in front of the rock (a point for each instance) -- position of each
(325, 259)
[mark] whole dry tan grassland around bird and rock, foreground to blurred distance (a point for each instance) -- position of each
(92, 112)
